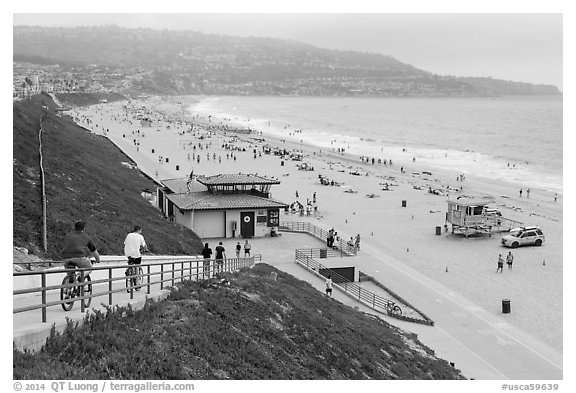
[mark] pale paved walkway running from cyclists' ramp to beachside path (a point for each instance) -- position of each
(480, 344)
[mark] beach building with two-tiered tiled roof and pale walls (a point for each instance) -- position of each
(225, 205)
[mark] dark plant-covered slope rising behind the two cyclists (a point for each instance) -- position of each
(86, 179)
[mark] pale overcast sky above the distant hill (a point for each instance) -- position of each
(519, 47)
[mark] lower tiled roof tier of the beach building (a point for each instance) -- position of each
(208, 201)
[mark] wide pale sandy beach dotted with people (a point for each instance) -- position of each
(374, 210)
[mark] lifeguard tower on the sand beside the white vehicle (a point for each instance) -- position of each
(473, 216)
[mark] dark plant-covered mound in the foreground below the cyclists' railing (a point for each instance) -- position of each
(253, 328)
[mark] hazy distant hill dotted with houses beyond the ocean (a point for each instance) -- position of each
(187, 62)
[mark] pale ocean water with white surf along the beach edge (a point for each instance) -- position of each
(517, 139)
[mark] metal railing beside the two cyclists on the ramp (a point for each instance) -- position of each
(187, 269)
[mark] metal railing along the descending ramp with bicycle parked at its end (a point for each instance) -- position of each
(367, 297)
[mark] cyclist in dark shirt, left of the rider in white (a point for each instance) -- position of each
(74, 253)
